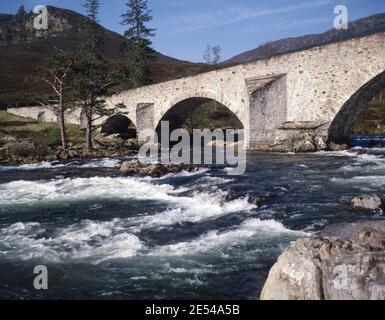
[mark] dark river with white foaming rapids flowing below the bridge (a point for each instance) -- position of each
(105, 236)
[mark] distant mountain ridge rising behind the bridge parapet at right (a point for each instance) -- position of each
(358, 28)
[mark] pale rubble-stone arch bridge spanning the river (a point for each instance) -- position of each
(321, 89)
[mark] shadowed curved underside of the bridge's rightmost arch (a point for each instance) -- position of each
(340, 129)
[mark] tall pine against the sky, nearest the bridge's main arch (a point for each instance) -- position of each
(138, 50)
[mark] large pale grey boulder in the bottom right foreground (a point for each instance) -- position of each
(343, 262)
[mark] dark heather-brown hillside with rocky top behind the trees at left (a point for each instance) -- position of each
(22, 49)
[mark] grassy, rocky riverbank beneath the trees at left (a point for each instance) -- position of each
(27, 141)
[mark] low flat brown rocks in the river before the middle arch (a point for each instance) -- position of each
(136, 168)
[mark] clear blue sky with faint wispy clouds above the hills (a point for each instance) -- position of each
(185, 27)
